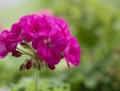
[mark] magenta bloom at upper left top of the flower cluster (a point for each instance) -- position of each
(31, 25)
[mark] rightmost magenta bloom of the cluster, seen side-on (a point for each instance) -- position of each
(72, 52)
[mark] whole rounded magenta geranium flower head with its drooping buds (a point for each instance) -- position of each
(47, 38)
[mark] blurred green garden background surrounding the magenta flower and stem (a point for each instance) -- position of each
(95, 23)
